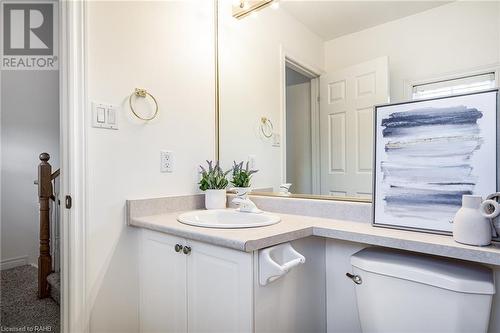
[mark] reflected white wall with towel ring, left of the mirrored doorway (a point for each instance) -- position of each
(251, 87)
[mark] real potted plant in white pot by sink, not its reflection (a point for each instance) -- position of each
(214, 182)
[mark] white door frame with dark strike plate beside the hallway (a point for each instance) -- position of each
(72, 89)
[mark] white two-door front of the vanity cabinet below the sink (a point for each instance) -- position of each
(209, 289)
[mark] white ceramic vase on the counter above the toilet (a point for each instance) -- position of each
(469, 225)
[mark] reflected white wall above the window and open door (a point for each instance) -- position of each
(459, 37)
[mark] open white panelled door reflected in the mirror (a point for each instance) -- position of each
(346, 126)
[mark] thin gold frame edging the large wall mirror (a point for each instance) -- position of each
(217, 124)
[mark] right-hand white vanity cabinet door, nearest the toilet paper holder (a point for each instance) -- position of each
(219, 289)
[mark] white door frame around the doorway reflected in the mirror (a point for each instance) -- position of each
(287, 59)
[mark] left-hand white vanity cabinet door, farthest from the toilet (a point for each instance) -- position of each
(162, 284)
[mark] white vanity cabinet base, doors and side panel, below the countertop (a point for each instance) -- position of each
(211, 288)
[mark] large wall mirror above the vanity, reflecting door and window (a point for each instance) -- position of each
(299, 80)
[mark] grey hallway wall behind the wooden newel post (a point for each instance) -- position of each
(29, 126)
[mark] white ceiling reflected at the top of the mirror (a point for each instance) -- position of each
(332, 19)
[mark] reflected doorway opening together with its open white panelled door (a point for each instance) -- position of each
(329, 145)
